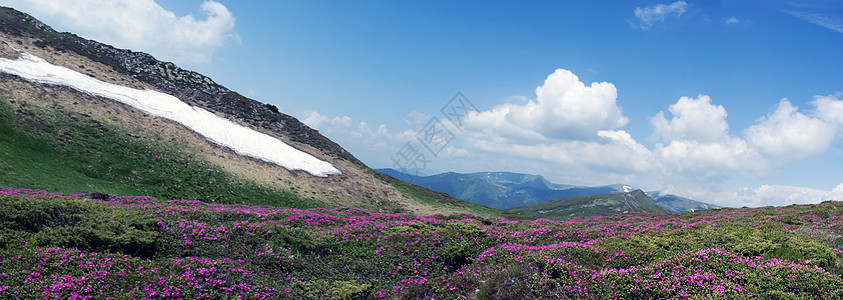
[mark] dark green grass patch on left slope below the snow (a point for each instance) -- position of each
(70, 152)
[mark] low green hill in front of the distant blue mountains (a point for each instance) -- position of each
(591, 205)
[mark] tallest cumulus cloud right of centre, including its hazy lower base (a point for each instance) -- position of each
(570, 128)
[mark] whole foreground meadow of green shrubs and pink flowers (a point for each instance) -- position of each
(97, 246)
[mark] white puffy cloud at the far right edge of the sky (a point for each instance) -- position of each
(790, 135)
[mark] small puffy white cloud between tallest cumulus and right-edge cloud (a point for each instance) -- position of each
(693, 119)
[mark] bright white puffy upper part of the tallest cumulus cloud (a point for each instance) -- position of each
(565, 108)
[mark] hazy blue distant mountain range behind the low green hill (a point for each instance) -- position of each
(506, 190)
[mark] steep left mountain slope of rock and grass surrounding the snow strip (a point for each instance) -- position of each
(71, 140)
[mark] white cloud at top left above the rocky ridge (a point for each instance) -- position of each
(140, 25)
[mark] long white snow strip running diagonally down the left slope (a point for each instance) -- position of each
(241, 139)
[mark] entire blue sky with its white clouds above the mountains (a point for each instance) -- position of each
(731, 102)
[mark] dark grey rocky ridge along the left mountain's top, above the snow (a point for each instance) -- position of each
(191, 87)
